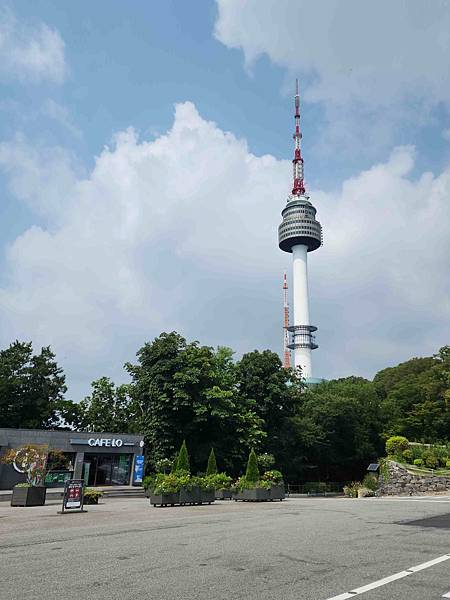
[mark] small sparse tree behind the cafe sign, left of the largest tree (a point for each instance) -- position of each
(108, 408)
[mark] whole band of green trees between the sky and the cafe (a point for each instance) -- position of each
(181, 390)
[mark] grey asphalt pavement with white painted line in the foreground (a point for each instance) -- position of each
(302, 548)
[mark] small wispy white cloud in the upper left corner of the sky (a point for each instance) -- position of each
(30, 53)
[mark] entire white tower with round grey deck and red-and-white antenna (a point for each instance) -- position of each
(298, 234)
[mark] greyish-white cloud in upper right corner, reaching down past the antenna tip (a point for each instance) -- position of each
(374, 66)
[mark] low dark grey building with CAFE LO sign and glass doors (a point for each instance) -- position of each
(100, 459)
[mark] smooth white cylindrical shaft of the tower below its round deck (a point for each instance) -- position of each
(302, 356)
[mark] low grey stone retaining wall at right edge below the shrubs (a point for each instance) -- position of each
(400, 481)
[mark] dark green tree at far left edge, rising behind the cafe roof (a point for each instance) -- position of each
(32, 388)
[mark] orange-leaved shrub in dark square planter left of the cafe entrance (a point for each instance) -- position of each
(30, 460)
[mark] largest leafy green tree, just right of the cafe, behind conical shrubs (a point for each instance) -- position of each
(187, 391)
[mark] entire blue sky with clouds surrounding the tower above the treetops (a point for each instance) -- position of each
(111, 235)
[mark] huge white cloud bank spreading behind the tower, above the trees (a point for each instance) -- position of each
(180, 233)
